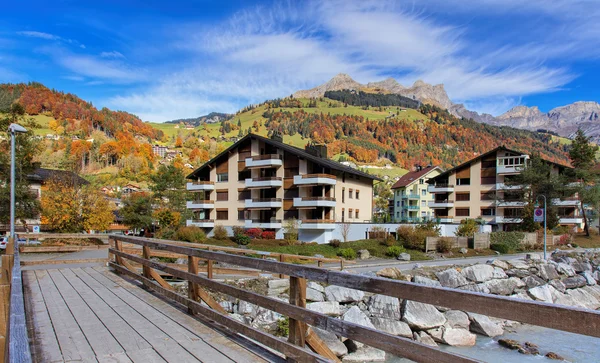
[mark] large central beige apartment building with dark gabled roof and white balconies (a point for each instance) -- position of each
(261, 182)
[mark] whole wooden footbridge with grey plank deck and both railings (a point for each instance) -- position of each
(94, 314)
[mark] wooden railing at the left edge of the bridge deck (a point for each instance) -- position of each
(14, 341)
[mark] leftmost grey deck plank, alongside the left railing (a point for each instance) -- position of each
(45, 347)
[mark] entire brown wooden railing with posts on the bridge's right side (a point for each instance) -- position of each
(575, 320)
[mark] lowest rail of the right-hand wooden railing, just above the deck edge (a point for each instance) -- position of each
(269, 340)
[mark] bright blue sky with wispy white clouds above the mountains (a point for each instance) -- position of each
(174, 59)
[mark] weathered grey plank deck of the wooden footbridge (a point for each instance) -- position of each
(92, 315)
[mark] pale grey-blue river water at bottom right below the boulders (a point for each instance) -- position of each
(573, 347)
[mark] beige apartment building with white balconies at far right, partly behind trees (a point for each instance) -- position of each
(479, 188)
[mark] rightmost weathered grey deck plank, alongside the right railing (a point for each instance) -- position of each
(230, 344)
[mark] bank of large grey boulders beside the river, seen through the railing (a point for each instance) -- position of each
(567, 279)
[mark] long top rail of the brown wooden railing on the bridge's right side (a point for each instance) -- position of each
(575, 320)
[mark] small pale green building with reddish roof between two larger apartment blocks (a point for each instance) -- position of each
(412, 197)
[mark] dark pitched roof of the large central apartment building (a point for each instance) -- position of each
(292, 149)
